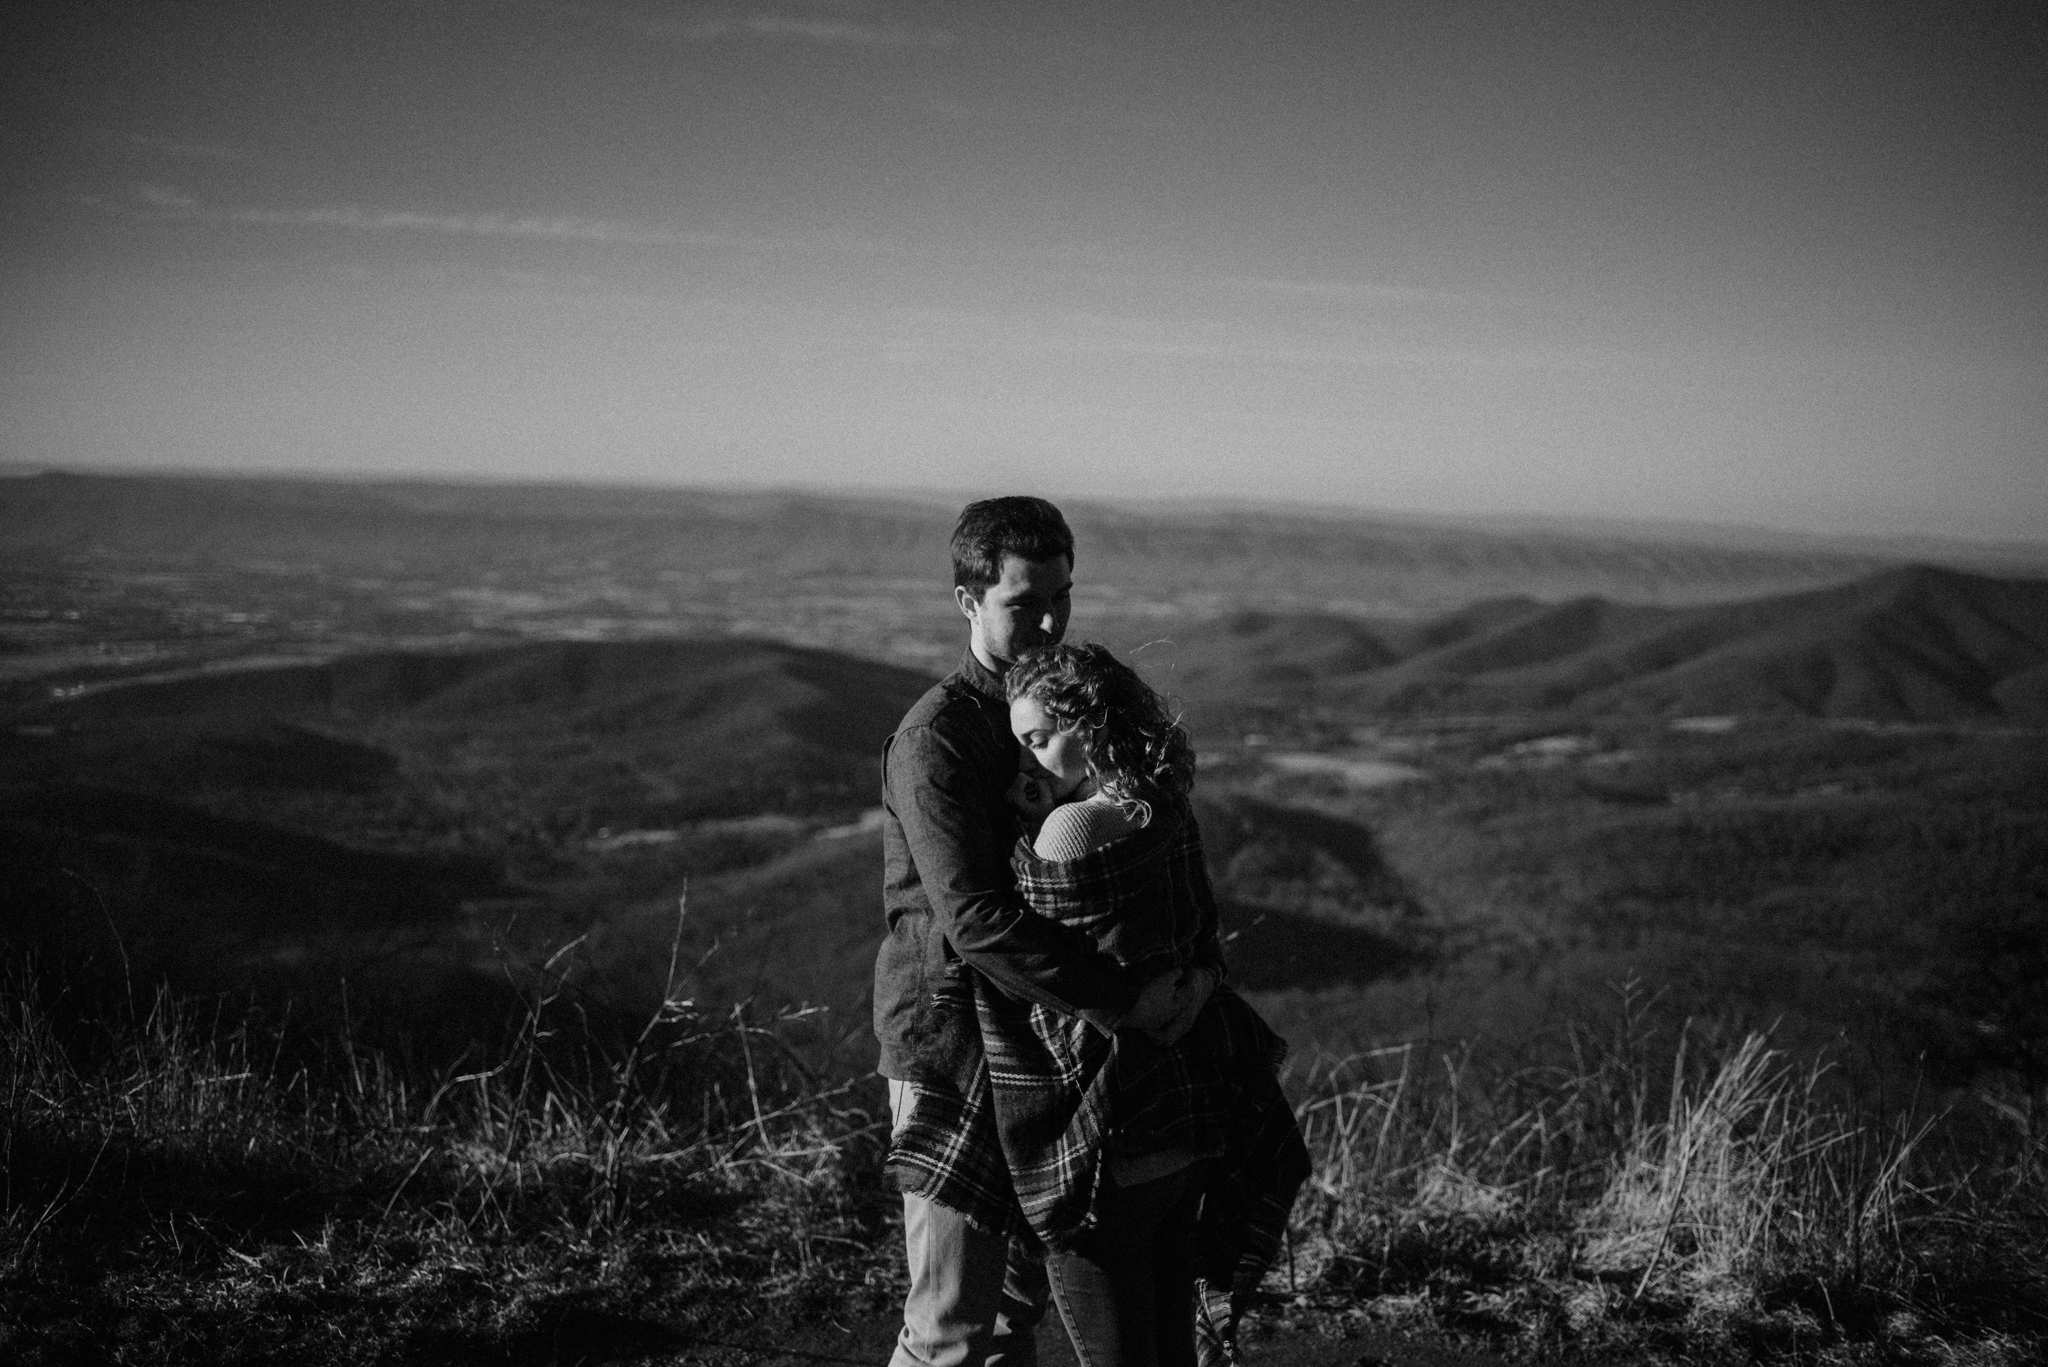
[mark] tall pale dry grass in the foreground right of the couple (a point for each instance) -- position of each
(1725, 1206)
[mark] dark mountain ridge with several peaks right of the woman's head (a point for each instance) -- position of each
(1912, 645)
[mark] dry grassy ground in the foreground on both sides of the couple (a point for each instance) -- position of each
(206, 1188)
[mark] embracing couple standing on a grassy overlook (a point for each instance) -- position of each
(1082, 1108)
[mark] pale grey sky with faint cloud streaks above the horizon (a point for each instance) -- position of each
(1777, 263)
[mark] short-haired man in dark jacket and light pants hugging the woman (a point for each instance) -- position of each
(953, 907)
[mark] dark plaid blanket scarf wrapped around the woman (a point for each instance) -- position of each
(1027, 1145)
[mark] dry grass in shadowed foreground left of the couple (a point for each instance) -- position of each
(181, 1192)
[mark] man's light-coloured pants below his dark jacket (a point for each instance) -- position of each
(974, 1298)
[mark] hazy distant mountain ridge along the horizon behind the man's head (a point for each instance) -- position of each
(1265, 556)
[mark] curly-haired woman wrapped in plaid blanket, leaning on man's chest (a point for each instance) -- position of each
(1142, 1167)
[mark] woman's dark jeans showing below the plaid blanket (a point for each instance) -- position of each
(1127, 1292)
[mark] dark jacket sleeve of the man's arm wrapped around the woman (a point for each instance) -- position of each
(966, 874)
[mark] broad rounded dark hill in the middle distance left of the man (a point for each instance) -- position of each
(601, 733)
